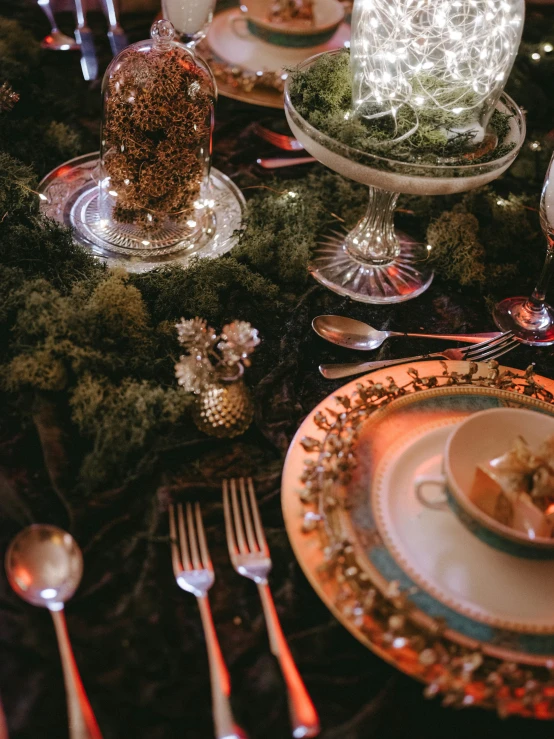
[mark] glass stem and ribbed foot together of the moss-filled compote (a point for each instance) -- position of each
(373, 263)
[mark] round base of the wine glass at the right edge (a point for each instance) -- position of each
(532, 326)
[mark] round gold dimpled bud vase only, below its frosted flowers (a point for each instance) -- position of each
(224, 409)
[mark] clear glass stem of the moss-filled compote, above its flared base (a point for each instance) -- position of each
(374, 240)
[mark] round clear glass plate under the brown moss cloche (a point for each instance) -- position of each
(69, 195)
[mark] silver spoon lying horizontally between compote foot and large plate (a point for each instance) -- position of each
(353, 334)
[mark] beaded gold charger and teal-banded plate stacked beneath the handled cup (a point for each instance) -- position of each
(410, 583)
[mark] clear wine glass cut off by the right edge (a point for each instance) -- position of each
(532, 319)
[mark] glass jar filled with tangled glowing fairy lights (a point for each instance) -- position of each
(435, 56)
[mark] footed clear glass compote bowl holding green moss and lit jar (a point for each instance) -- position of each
(374, 263)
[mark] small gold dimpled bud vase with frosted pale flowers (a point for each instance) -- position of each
(213, 370)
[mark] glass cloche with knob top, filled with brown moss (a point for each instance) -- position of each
(156, 146)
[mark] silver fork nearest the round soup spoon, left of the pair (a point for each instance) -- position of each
(194, 573)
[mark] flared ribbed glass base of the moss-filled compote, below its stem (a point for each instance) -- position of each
(403, 278)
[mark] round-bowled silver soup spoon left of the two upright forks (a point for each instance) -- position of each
(44, 566)
